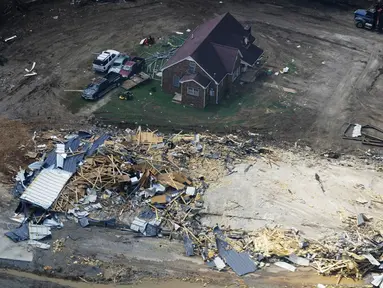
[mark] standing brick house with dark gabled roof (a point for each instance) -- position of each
(204, 68)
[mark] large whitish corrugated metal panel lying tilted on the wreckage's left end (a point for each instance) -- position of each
(46, 187)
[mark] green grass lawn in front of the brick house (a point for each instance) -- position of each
(158, 109)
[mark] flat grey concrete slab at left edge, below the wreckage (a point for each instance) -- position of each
(14, 251)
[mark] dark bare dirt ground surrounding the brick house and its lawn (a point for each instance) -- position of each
(334, 67)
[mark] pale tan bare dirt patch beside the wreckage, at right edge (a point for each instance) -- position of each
(285, 192)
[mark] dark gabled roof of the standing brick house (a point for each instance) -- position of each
(214, 46)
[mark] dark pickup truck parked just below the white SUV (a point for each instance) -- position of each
(102, 85)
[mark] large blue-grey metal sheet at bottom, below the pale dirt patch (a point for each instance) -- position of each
(241, 263)
